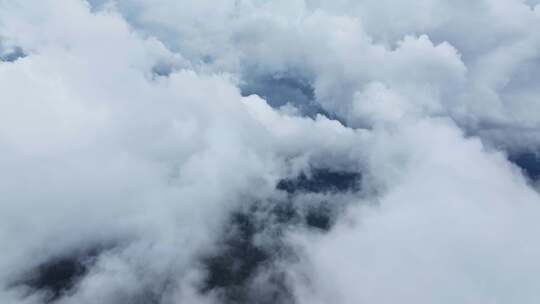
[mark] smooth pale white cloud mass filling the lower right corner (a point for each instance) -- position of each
(455, 227)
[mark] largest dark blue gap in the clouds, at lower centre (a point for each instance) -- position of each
(247, 266)
